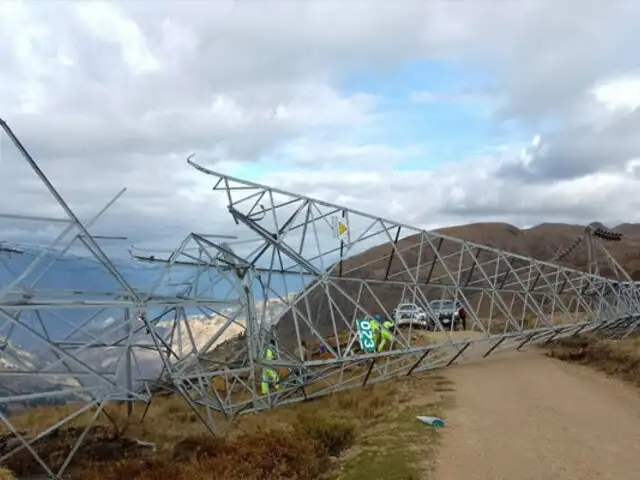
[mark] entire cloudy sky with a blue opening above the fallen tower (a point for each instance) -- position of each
(434, 113)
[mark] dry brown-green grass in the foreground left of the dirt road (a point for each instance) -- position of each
(305, 441)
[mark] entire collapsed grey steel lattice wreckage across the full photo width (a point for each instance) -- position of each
(297, 281)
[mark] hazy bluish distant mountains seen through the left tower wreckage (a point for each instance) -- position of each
(22, 351)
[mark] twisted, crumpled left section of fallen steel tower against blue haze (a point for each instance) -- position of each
(80, 332)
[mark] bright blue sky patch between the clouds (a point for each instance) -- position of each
(430, 113)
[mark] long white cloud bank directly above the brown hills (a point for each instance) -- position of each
(471, 191)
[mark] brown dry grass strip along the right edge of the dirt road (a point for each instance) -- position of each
(618, 358)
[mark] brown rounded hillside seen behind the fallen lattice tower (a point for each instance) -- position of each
(542, 242)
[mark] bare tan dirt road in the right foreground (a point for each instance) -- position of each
(527, 416)
